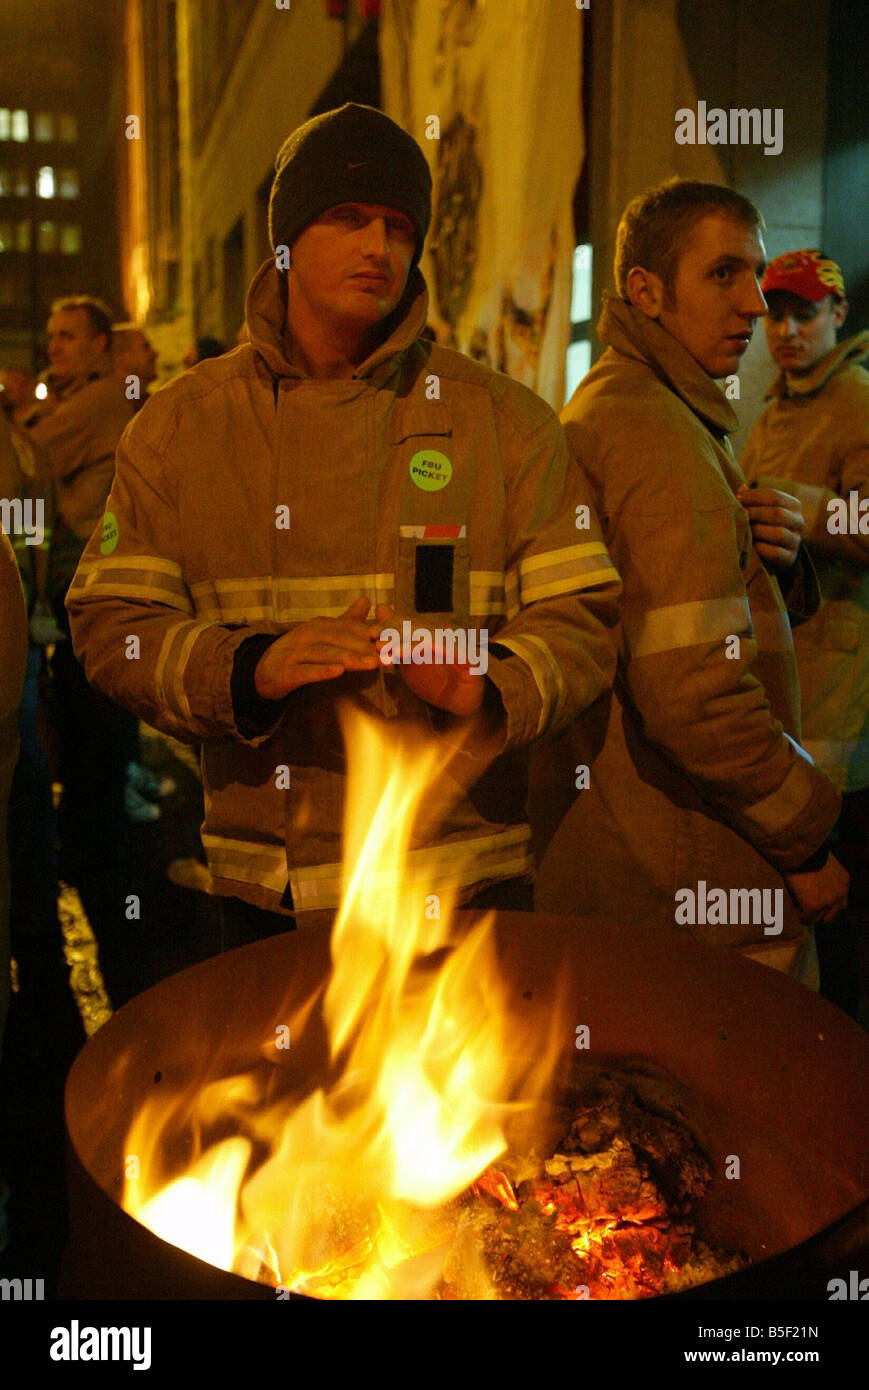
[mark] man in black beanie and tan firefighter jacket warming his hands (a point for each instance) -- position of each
(339, 464)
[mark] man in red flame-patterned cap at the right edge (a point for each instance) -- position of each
(813, 441)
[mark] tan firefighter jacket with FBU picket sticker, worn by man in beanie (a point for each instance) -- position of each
(250, 498)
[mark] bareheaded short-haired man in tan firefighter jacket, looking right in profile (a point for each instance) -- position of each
(688, 801)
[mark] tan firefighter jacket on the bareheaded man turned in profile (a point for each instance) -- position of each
(690, 772)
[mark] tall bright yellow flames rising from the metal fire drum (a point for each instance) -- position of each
(350, 1192)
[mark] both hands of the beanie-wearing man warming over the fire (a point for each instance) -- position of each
(327, 647)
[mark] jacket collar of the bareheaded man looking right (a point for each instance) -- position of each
(631, 332)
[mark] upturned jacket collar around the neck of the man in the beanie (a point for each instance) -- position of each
(265, 313)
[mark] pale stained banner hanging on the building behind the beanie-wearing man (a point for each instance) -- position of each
(493, 95)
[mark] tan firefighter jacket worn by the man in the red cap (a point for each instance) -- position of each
(813, 440)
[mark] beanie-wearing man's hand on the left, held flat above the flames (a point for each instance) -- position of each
(319, 651)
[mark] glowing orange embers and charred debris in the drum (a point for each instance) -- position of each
(606, 1217)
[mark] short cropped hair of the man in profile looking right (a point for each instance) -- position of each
(657, 226)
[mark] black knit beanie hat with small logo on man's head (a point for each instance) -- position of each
(351, 155)
